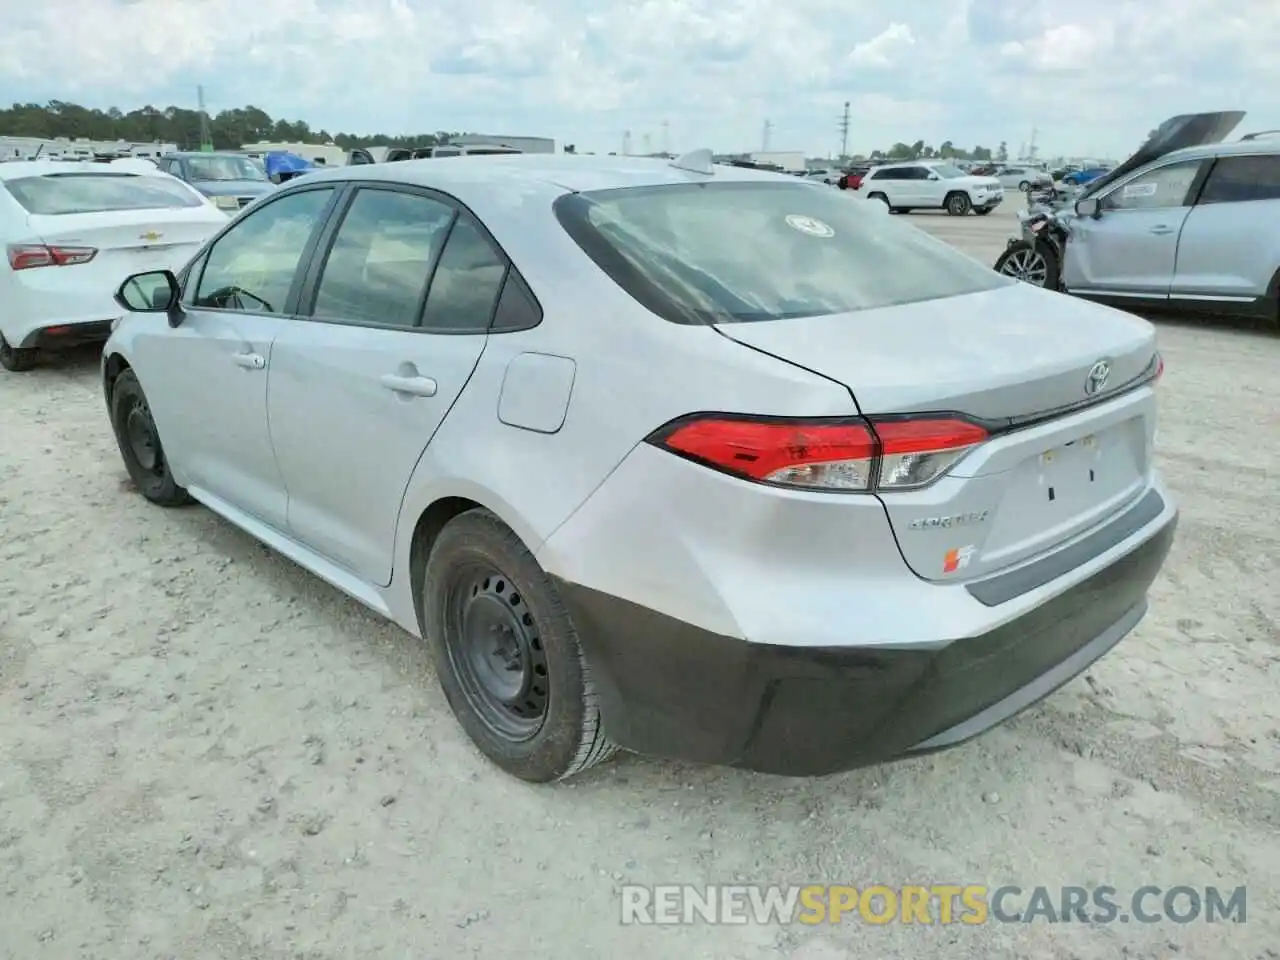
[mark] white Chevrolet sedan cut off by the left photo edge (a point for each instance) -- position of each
(72, 232)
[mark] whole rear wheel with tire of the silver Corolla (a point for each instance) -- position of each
(481, 580)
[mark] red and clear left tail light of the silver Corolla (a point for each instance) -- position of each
(839, 456)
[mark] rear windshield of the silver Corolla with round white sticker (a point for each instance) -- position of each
(742, 252)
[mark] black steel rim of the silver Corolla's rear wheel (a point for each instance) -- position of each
(497, 653)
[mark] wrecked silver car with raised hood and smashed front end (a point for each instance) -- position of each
(1188, 225)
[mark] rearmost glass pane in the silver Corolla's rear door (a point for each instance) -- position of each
(467, 282)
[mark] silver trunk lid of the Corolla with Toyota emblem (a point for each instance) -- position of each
(1060, 463)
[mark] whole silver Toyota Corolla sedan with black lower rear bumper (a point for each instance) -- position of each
(689, 460)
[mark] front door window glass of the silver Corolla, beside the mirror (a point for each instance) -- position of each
(252, 268)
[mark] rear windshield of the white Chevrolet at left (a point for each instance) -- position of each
(57, 194)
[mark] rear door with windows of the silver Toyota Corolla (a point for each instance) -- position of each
(400, 308)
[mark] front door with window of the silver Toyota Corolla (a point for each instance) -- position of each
(212, 373)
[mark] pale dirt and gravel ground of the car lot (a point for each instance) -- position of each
(208, 753)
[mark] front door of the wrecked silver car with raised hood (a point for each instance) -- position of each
(1131, 250)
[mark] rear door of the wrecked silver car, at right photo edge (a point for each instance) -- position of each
(1228, 249)
